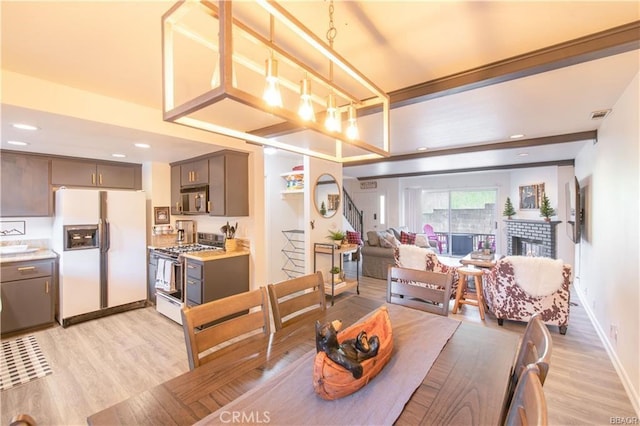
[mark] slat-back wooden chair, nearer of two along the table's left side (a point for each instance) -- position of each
(228, 320)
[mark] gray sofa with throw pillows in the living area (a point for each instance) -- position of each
(377, 255)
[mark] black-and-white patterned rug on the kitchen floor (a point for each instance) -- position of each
(21, 361)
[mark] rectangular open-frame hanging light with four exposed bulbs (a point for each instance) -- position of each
(234, 36)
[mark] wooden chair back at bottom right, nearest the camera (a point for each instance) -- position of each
(528, 407)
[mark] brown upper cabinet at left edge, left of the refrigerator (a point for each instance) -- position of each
(25, 186)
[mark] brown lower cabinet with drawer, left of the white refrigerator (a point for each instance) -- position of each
(28, 294)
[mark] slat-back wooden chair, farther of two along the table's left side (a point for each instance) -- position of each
(293, 297)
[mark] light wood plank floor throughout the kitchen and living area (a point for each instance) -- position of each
(101, 362)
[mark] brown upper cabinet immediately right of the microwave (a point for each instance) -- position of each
(229, 184)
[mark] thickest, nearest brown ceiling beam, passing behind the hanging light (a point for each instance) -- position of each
(591, 47)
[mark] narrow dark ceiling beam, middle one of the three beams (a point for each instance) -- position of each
(521, 143)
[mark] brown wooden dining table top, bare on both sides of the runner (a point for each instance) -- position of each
(466, 385)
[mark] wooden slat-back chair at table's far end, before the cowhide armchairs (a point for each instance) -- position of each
(424, 290)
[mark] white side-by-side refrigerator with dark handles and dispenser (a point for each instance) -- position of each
(107, 268)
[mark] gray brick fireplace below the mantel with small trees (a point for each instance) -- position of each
(531, 238)
